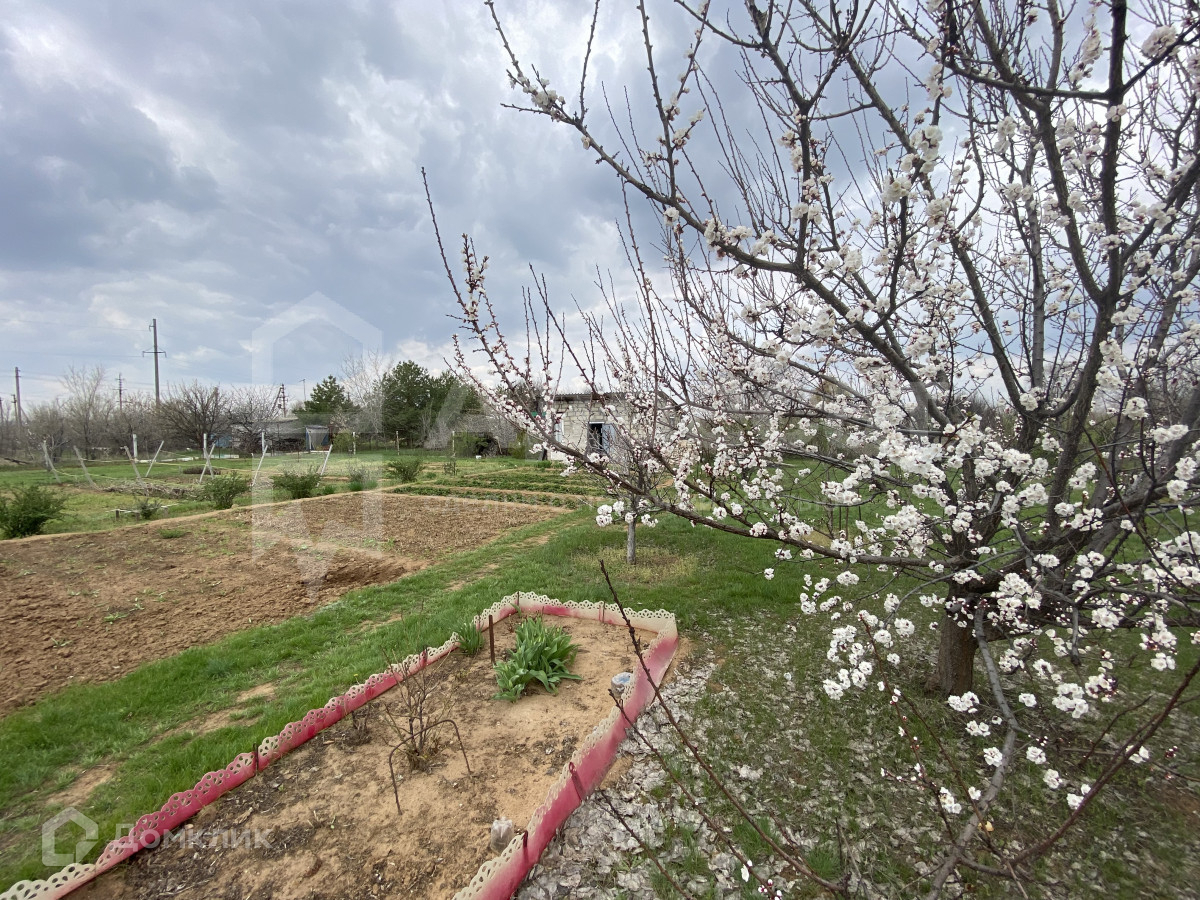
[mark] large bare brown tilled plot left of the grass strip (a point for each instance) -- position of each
(91, 608)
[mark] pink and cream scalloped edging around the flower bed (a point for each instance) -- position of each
(497, 879)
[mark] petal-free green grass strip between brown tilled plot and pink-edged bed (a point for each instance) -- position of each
(311, 659)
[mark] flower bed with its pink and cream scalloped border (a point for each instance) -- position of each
(590, 755)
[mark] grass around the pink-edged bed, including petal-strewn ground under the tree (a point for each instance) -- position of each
(818, 761)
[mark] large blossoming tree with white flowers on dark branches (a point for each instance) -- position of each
(937, 263)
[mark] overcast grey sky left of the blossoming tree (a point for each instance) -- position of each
(213, 165)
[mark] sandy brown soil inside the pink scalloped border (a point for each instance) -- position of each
(323, 823)
